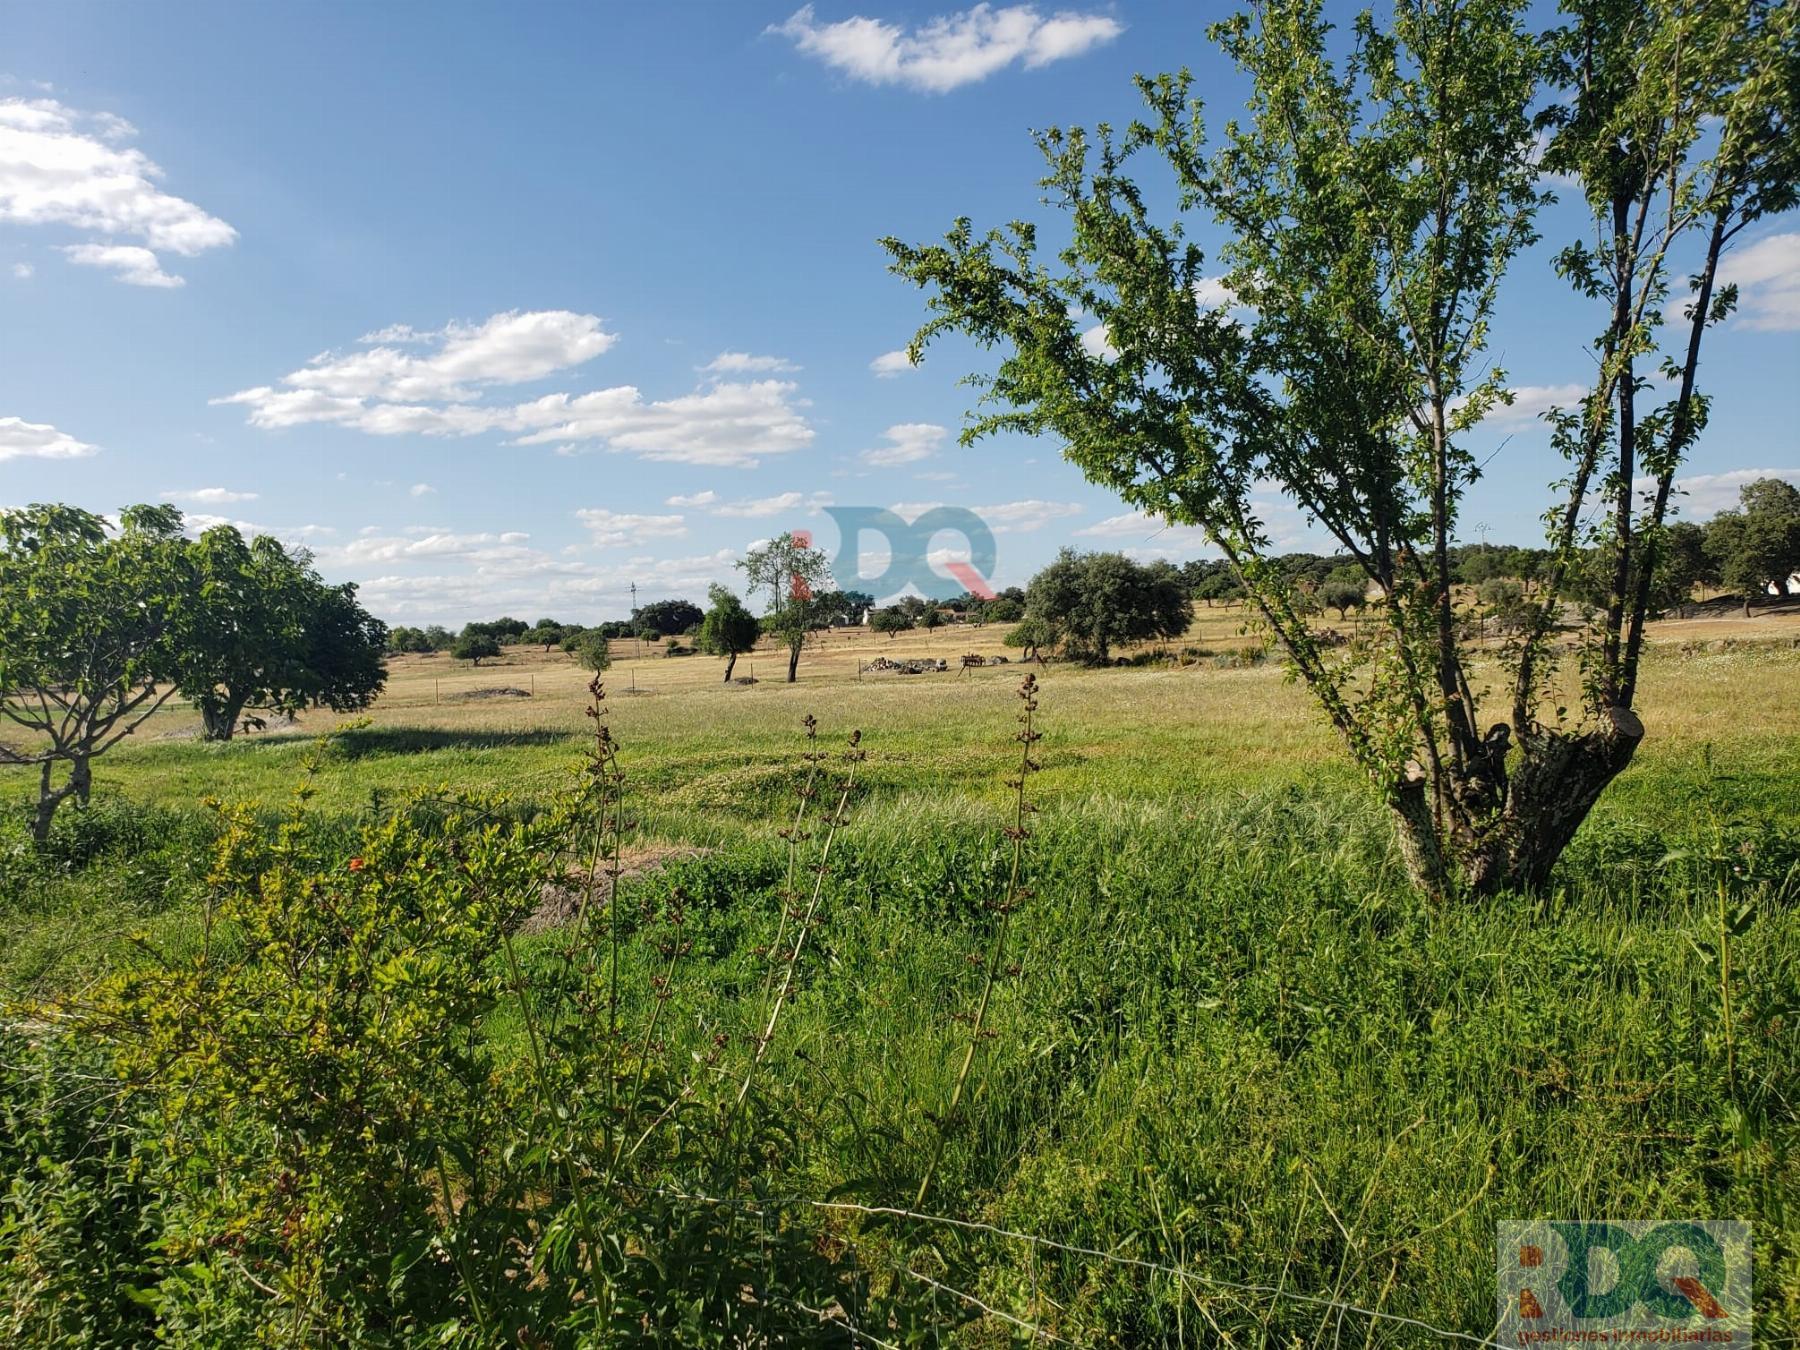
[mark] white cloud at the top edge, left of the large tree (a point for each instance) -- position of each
(949, 51)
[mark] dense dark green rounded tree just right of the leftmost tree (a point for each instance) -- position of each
(265, 633)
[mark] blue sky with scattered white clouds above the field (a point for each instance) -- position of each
(501, 309)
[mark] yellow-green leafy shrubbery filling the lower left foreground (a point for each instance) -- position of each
(357, 1111)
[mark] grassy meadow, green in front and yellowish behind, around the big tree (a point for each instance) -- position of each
(1237, 1084)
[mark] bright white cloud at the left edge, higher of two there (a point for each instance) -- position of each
(60, 166)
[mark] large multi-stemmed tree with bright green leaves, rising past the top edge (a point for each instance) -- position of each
(1371, 204)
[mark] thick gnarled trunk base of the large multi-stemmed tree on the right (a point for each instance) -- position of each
(1507, 836)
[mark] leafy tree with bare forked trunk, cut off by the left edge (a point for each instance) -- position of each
(87, 622)
